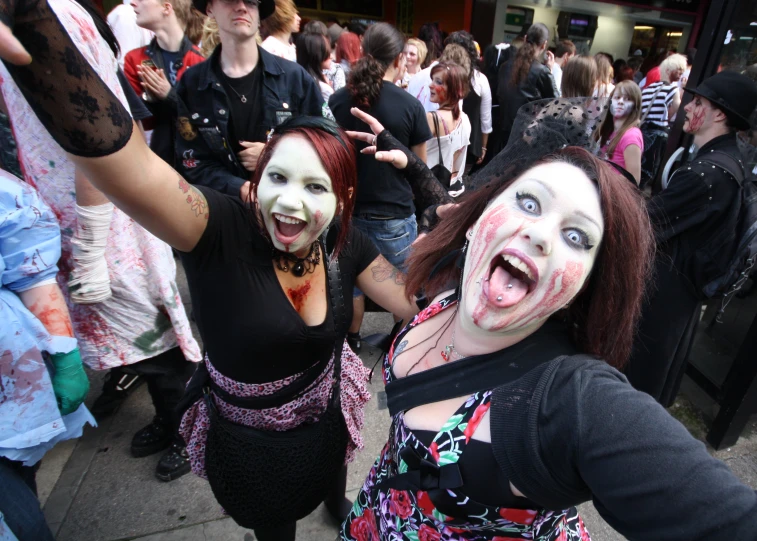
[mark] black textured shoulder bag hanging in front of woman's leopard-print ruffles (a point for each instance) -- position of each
(265, 478)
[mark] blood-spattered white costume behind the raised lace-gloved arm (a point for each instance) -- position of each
(145, 316)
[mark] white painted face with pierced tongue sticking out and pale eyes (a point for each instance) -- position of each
(531, 250)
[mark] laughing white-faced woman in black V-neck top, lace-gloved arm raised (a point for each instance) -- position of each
(270, 280)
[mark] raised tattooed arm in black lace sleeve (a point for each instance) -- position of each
(87, 119)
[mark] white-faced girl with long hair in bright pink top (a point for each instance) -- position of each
(620, 137)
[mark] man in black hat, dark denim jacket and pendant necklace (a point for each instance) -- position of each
(232, 101)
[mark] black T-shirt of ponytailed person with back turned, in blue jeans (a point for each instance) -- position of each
(382, 188)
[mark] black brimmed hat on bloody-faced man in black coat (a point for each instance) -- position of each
(733, 93)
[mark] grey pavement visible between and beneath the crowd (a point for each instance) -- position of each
(93, 490)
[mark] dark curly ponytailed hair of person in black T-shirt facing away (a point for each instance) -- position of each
(382, 43)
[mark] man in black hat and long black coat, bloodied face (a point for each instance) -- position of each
(696, 221)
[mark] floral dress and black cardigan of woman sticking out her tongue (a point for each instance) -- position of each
(545, 405)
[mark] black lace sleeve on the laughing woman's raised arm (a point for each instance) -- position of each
(78, 109)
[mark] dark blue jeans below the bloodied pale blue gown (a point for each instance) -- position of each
(19, 506)
